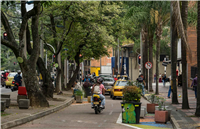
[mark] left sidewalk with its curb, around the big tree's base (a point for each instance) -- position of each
(14, 116)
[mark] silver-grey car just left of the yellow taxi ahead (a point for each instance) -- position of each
(108, 83)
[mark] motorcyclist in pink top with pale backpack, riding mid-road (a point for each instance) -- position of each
(101, 92)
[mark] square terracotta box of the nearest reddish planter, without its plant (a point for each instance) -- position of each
(161, 116)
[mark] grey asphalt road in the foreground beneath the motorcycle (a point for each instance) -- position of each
(80, 117)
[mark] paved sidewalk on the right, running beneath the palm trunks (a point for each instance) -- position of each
(181, 118)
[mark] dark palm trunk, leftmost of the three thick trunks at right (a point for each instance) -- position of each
(174, 38)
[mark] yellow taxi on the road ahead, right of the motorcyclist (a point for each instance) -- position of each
(116, 90)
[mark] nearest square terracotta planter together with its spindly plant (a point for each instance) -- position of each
(161, 115)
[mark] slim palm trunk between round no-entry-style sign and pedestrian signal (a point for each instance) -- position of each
(158, 37)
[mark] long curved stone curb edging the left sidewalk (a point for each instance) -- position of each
(36, 116)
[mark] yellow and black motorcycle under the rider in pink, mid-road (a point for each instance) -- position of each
(97, 103)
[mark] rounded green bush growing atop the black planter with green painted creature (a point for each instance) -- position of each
(131, 93)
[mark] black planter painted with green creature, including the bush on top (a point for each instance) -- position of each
(131, 104)
